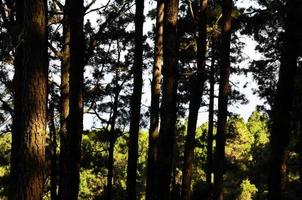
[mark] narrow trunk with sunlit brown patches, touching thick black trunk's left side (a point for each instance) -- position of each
(64, 102)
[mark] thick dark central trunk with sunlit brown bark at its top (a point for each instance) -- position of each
(168, 106)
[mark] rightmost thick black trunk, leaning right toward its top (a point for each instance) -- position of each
(283, 102)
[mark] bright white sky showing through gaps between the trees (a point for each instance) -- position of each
(239, 80)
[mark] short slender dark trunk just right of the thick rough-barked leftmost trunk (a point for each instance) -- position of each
(53, 147)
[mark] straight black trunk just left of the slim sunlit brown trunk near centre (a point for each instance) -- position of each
(135, 100)
